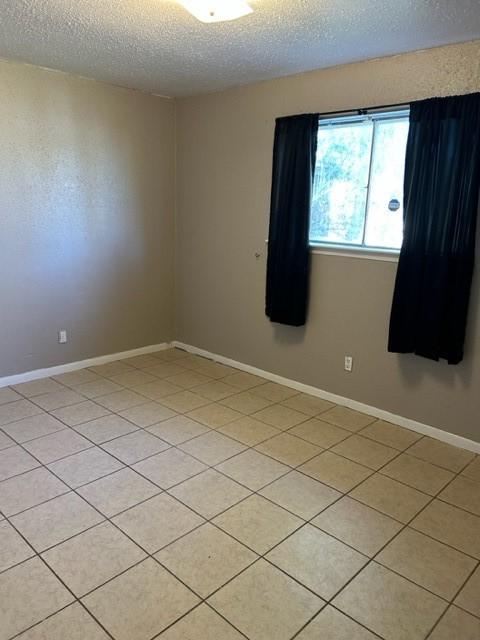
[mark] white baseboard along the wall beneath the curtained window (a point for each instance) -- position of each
(419, 427)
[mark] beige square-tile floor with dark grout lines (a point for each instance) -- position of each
(169, 496)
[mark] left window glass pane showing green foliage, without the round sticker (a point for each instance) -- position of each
(340, 184)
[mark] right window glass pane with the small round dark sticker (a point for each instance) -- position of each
(384, 227)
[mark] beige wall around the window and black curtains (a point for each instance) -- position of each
(224, 155)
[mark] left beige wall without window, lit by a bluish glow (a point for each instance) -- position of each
(86, 218)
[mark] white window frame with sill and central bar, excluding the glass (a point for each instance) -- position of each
(350, 249)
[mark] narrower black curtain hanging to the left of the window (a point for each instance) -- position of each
(294, 151)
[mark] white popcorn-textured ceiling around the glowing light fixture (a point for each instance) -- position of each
(155, 45)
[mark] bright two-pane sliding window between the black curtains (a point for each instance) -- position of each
(357, 196)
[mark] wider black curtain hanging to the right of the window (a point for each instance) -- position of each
(441, 188)
